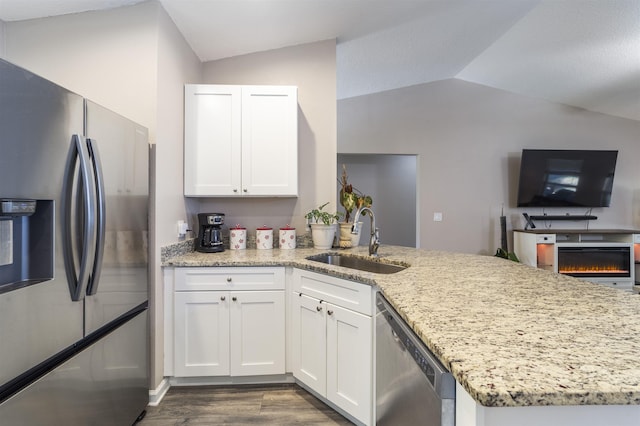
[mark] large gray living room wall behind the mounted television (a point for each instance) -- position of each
(468, 139)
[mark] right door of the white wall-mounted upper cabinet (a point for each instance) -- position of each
(269, 140)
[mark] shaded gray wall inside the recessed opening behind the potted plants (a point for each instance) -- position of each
(391, 181)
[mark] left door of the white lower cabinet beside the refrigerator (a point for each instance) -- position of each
(201, 335)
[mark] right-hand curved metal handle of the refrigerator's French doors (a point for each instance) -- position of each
(101, 217)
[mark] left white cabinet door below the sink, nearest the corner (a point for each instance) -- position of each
(309, 340)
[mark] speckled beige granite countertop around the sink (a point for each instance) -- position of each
(512, 335)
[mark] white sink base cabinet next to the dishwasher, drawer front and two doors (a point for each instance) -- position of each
(332, 345)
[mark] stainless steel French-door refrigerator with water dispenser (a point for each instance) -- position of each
(73, 258)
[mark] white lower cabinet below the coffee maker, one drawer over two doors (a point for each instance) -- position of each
(238, 332)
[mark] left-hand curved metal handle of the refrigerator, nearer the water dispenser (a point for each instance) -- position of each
(87, 238)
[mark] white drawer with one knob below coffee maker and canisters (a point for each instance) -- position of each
(232, 278)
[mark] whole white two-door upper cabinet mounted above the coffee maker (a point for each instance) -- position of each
(241, 141)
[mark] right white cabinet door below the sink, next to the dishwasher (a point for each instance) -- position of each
(349, 362)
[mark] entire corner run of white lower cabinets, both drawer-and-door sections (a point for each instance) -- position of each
(231, 321)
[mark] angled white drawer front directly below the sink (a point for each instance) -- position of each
(347, 294)
